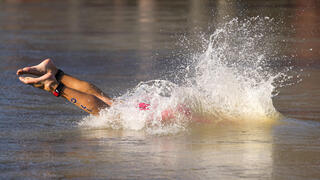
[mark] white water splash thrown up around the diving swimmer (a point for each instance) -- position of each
(232, 79)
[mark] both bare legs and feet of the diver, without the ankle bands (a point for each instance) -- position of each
(83, 94)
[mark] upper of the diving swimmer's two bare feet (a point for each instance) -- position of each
(41, 69)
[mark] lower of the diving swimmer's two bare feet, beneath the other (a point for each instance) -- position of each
(46, 82)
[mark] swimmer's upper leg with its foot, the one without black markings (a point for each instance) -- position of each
(47, 67)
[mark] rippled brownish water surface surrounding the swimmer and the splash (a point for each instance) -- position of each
(115, 45)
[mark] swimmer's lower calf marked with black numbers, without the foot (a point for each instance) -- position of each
(86, 102)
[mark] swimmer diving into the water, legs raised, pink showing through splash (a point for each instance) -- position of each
(83, 94)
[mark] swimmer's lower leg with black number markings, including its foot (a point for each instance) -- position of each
(87, 102)
